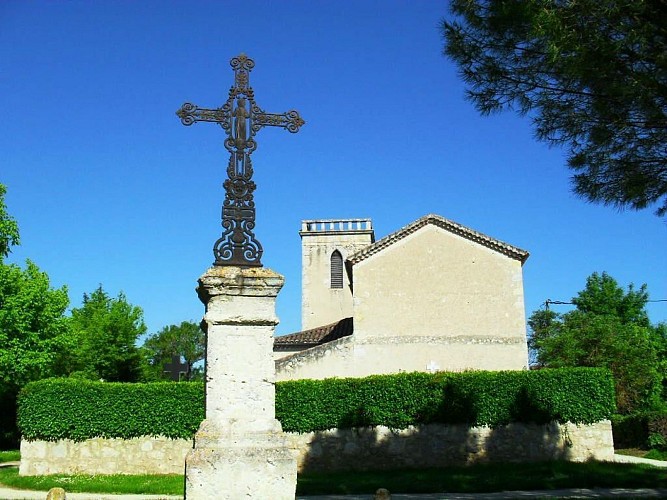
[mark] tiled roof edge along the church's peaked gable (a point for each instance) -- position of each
(448, 225)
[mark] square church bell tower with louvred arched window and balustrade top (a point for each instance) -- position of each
(326, 283)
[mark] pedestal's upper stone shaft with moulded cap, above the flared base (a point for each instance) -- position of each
(240, 373)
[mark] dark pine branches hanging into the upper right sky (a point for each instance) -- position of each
(592, 76)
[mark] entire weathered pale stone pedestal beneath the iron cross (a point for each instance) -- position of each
(240, 450)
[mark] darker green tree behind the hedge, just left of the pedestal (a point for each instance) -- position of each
(186, 340)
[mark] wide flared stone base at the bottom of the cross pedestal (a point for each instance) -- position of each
(227, 467)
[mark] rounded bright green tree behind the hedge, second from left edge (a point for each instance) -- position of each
(106, 330)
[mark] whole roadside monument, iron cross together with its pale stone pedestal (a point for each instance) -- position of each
(240, 450)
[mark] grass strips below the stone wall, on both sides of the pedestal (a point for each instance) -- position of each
(472, 479)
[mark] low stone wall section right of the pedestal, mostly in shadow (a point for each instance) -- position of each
(439, 445)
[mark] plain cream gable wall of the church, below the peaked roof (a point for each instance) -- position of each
(434, 287)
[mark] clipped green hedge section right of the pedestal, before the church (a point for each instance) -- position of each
(473, 398)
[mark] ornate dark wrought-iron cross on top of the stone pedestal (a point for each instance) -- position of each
(241, 119)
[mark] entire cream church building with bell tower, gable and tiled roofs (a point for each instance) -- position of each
(434, 295)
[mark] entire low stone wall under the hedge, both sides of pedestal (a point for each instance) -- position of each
(356, 449)
